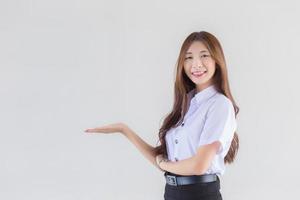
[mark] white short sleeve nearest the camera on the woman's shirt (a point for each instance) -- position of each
(220, 125)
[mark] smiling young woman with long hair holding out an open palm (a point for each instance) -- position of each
(197, 138)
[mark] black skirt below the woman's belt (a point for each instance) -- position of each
(198, 191)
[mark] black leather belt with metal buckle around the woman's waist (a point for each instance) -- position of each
(175, 180)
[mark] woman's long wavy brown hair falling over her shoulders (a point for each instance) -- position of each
(183, 85)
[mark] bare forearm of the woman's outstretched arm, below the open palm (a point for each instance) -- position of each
(146, 149)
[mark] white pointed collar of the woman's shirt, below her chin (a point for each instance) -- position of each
(203, 94)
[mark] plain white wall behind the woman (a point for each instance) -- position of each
(71, 65)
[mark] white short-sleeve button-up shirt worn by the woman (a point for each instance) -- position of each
(210, 117)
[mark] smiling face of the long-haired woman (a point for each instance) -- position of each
(199, 66)
